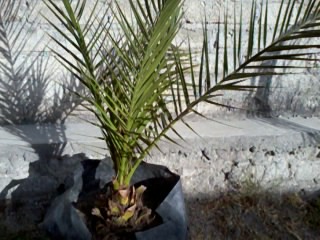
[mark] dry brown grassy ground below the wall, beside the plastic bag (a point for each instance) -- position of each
(244, 214)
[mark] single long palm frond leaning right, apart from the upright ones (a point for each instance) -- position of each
(261, 57)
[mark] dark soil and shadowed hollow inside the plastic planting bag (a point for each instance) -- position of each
(101, 225)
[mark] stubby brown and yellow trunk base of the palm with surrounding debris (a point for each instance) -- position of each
(119, 211)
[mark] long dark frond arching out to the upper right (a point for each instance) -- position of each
(256, 60)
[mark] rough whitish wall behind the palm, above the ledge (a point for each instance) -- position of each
(30, 76)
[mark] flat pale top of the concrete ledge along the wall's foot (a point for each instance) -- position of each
(215, 128)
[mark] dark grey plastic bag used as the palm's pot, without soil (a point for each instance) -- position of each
(163, 195)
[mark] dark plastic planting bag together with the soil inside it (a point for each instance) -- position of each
(159, 209)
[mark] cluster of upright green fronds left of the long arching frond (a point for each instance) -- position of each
(126, 94)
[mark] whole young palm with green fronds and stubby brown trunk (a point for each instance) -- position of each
(140, 84)
